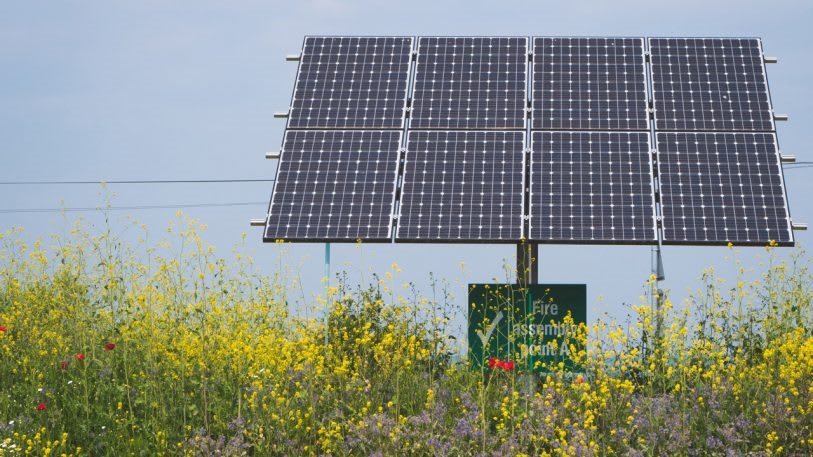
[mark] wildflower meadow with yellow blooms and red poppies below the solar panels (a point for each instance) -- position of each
(112, 349)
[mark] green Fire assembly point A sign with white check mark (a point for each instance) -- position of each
(533, 327)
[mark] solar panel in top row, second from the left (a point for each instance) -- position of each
(470, 83)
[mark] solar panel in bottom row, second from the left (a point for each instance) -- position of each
(462, 185)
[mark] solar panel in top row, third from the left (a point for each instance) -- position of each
(589, 84)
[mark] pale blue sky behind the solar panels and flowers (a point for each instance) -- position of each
(101, 90)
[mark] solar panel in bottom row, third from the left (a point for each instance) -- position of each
(592, 187)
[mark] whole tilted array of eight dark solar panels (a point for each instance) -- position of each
(550, 139)
